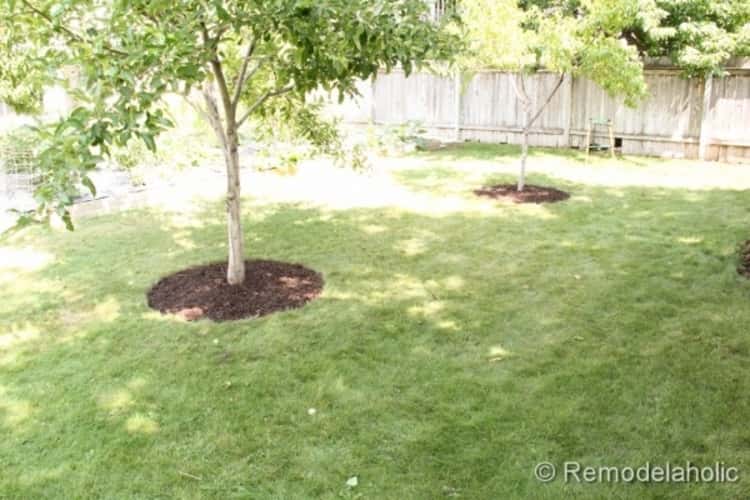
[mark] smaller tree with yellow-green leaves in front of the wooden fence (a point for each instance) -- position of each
(579, 38)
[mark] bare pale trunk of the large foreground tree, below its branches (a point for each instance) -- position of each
(236, 266)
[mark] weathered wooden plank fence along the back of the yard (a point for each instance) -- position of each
(682, 118)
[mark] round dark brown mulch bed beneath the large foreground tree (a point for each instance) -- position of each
(203, 292)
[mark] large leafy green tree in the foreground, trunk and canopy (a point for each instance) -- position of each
(245, 60)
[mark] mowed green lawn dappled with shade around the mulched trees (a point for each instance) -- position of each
(450, 352)
